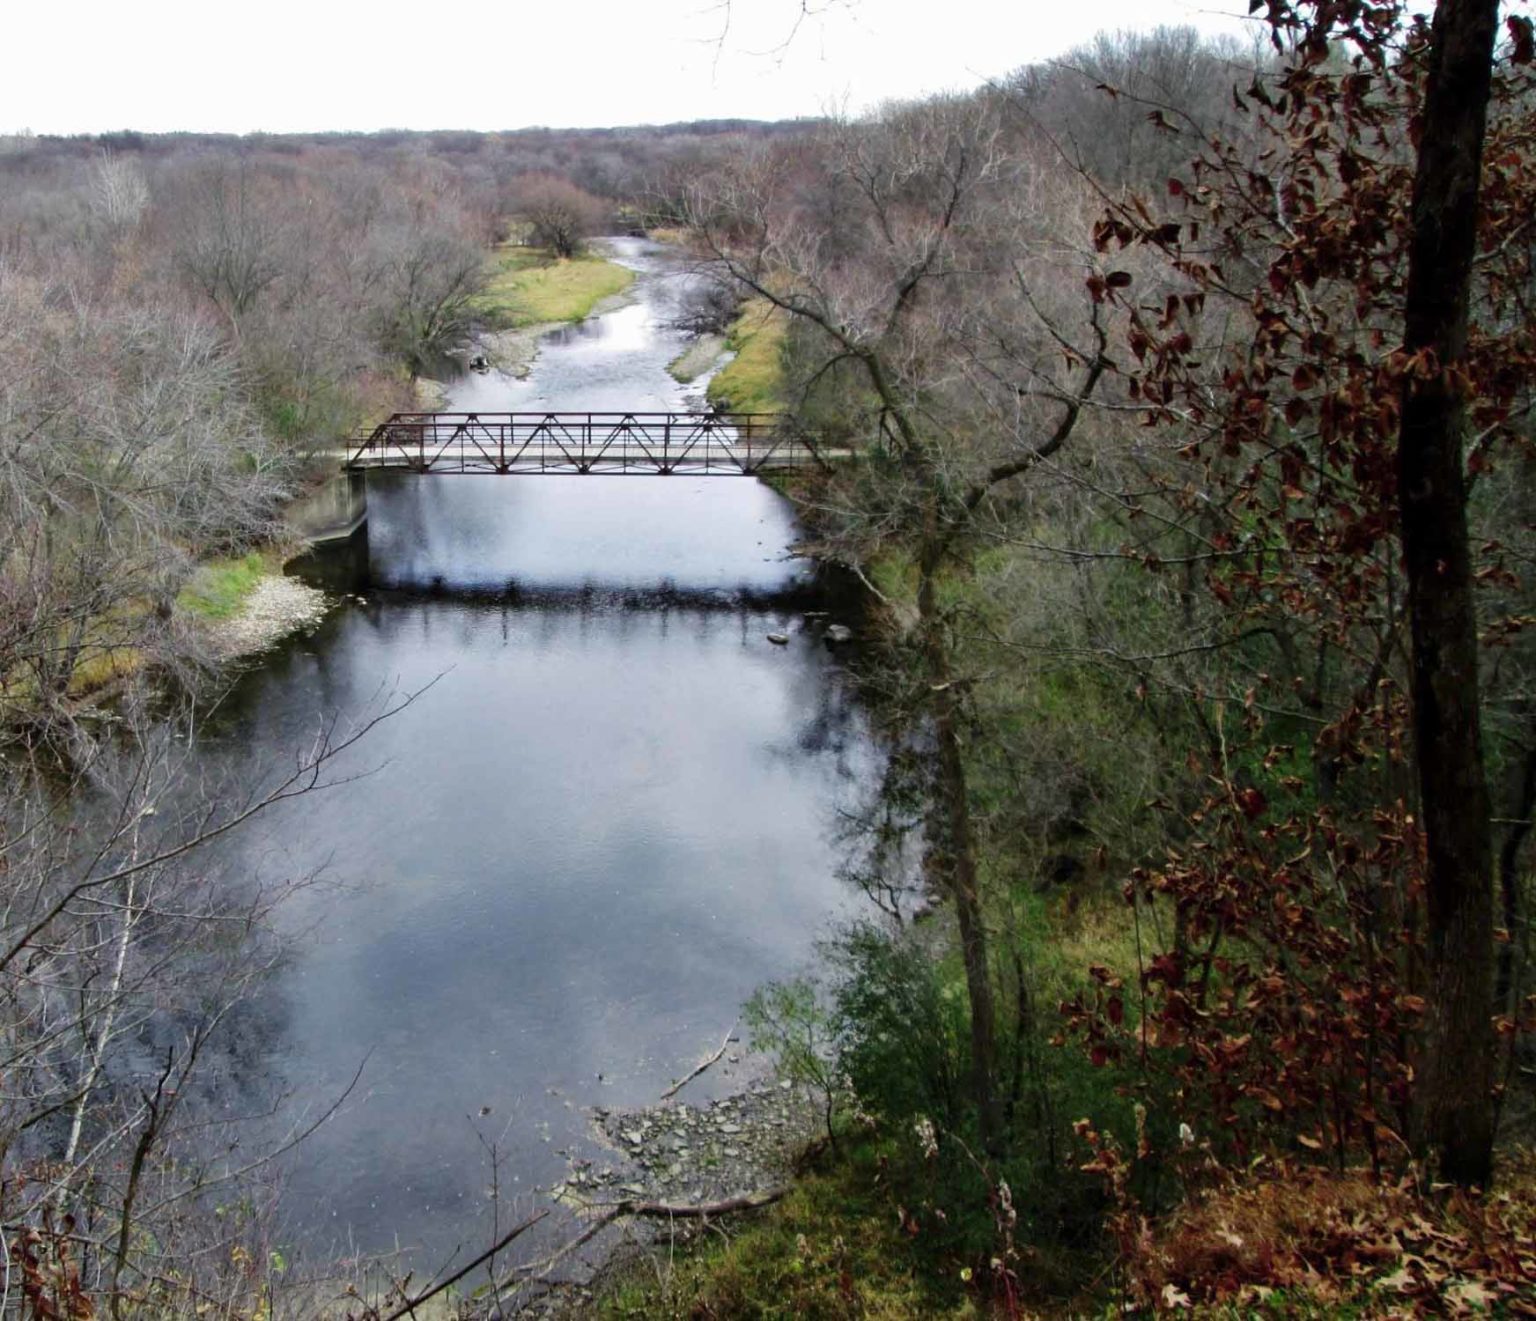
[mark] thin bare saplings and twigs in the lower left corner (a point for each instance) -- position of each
(127, 959)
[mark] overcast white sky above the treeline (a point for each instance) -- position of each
(300, 65)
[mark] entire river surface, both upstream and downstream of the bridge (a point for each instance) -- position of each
(609, 819)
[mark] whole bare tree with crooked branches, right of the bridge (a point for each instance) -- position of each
(901, 247)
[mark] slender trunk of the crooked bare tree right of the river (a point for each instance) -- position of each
(956, 844)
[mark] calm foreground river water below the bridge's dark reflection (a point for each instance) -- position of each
(572, 859)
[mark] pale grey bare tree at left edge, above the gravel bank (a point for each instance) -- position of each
(127, 445)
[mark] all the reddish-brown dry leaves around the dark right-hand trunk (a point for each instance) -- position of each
(1286, 1010)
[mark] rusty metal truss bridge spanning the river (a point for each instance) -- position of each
(698, 445)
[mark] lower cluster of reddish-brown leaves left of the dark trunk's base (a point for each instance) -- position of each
(1280, 1015)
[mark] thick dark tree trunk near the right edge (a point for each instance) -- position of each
(1458, 1074)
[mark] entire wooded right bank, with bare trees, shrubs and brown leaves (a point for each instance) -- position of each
(1231, 958)
